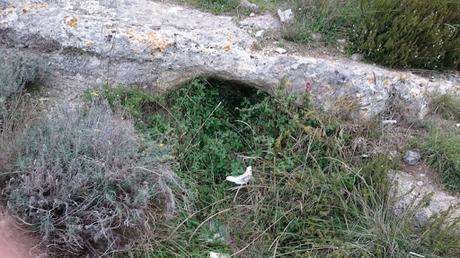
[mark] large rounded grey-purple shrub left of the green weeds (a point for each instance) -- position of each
(87, 184)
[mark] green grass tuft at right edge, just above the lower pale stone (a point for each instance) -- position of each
(443, 153)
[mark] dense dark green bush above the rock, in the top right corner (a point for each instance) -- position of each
(409, 33)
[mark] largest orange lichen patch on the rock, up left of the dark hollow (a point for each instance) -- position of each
(153, 40)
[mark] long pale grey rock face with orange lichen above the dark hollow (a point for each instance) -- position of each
(159, 46)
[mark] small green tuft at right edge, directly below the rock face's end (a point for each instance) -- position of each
(447, 105)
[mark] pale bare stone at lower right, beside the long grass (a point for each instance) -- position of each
(409, 191)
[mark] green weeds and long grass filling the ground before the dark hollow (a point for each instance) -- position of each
(307, 199)
